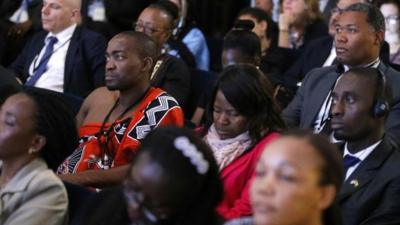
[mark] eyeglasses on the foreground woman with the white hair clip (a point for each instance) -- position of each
(138, 198)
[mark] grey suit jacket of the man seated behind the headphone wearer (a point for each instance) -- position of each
(305, 106)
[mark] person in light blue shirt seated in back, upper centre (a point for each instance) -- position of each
(187, 38)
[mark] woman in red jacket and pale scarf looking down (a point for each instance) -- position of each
(242, 120)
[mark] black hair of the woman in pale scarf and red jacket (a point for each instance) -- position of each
(251, 94)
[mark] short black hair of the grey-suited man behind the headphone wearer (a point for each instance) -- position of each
(374, 16)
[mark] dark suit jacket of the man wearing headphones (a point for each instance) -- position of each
(376, 198)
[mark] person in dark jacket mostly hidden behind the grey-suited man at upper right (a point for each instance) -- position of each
(321, 52)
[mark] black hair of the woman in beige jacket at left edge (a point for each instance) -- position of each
(56, 122)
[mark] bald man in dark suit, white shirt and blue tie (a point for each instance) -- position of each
(66, 57)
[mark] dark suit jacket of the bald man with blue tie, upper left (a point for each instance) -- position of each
(84, 64)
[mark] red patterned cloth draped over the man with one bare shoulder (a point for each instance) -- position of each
(156, 109)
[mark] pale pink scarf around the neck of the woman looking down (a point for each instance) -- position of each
(226, 151)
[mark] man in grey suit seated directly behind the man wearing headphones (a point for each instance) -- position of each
(359, 33)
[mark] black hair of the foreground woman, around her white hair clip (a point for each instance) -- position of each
(202, 191)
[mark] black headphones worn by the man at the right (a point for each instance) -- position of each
(380, 107)
